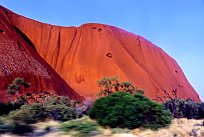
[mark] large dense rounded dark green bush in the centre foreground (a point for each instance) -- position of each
(123, 110)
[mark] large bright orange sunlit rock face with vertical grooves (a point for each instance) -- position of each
(82, 55)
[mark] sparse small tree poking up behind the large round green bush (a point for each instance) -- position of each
(110, 85)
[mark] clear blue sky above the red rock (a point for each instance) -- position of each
(177, 26)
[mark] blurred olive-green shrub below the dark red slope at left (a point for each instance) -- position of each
(54, 107)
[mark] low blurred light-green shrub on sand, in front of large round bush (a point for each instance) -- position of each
(83, 128)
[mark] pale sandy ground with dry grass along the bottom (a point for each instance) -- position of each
(179, 128)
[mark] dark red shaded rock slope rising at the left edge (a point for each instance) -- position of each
(18, 58)
